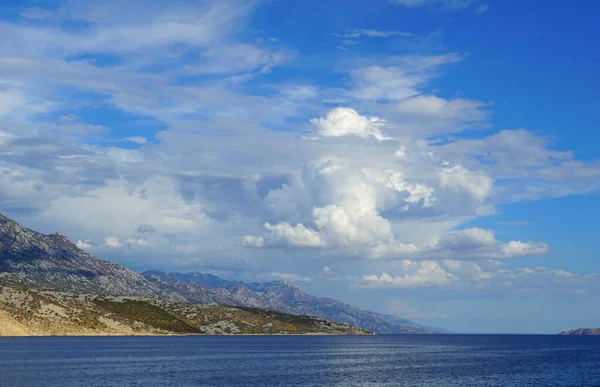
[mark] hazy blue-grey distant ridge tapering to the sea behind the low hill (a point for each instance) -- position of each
(280, 296)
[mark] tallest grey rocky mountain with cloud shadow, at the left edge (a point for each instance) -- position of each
(31, 259)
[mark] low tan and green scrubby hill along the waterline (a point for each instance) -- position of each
(49, 313)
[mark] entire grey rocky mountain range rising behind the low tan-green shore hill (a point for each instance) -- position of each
(34, 260)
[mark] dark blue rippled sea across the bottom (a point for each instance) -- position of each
(445, 360)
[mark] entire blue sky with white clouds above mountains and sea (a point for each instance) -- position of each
(433, 159)
